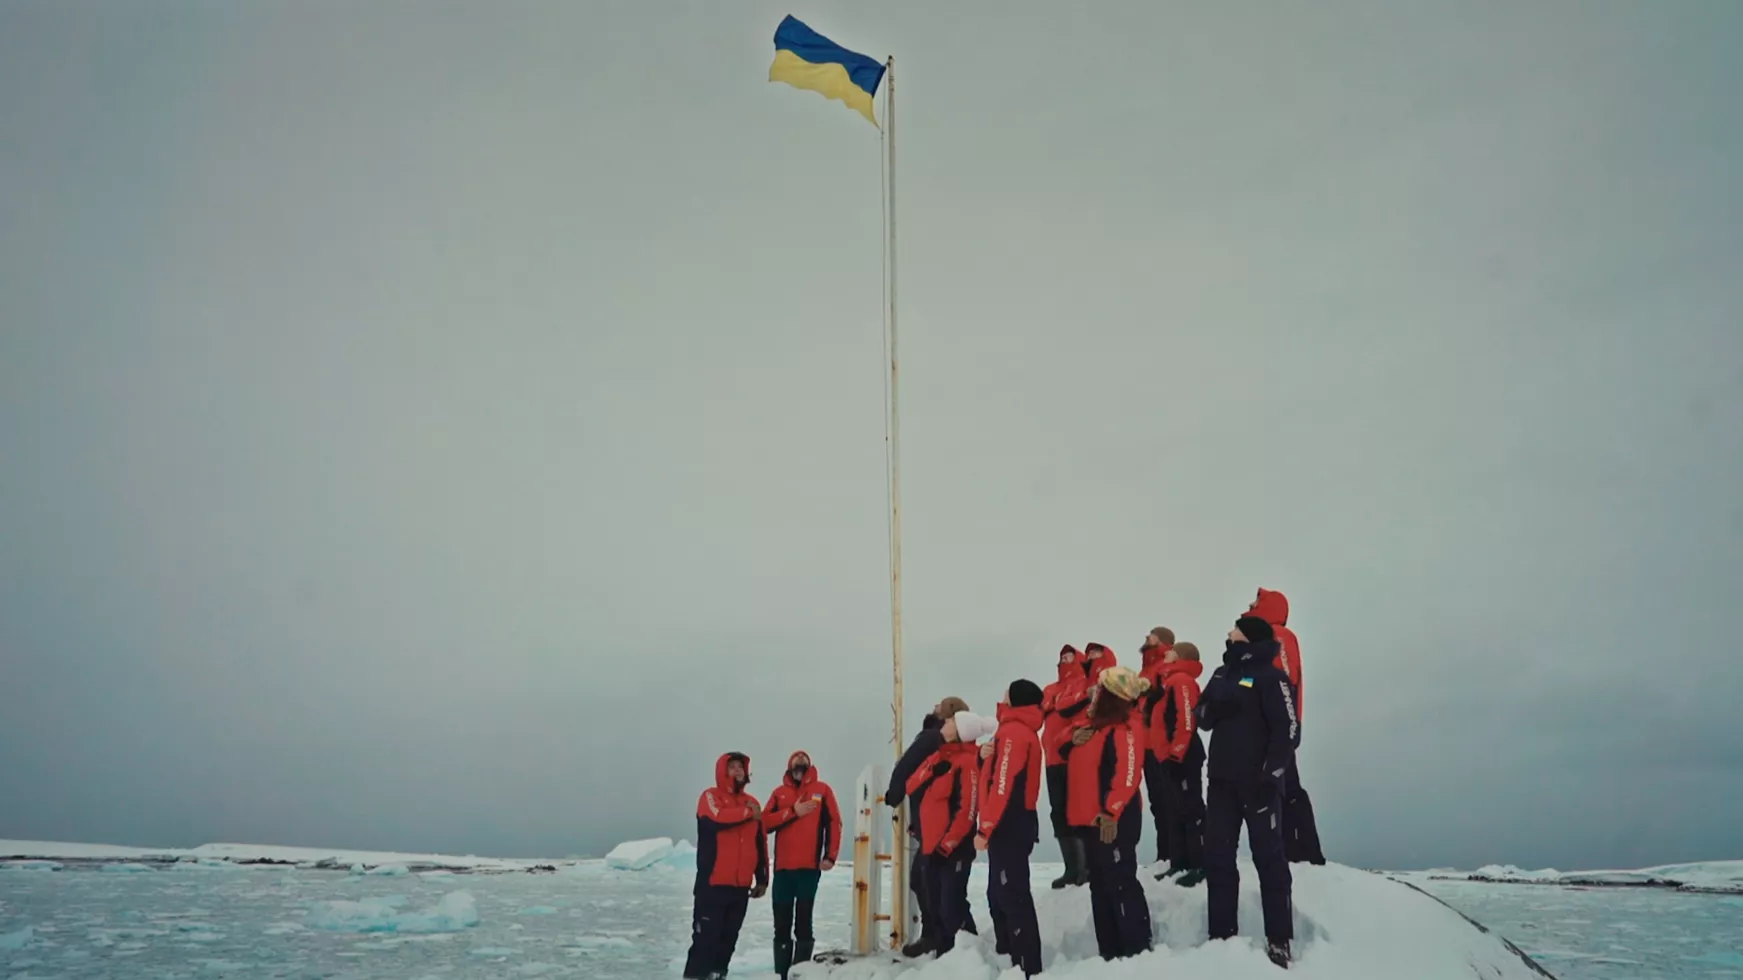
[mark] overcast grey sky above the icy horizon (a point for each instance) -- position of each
(444, 426)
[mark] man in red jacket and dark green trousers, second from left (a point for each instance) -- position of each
(808, 838)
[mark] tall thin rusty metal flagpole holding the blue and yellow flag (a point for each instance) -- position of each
(893, 459)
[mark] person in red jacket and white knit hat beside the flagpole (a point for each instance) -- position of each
(946, 786)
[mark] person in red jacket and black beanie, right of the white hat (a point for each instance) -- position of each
(1008, 827)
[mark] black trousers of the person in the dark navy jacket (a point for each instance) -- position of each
(1258, 805)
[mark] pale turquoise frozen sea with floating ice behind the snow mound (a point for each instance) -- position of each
(590, 922)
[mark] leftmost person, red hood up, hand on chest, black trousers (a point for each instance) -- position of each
(731, 868)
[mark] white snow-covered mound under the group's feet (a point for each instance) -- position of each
(1350, 925)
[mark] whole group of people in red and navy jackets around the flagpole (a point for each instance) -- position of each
(1099, 737)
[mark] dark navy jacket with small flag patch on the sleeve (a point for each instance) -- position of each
(1249, 707)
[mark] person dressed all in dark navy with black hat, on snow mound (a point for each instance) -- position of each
(1249, 707)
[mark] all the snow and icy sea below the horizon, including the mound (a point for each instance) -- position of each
(200, 918)
